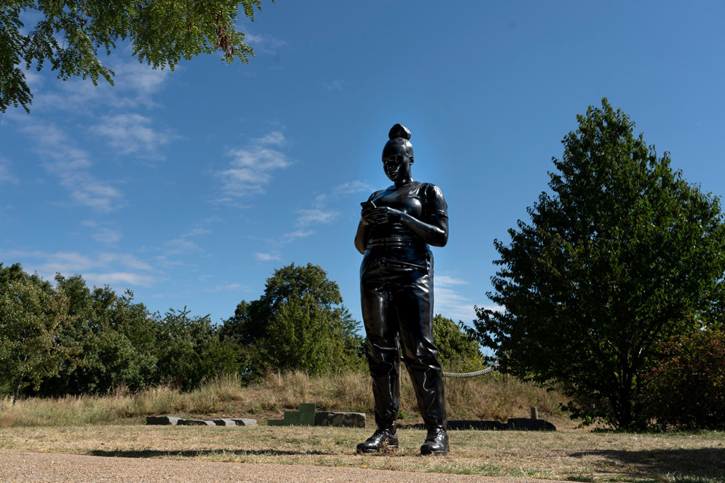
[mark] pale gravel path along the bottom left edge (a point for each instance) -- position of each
(22, 465)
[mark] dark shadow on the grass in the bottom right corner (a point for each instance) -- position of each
(689, 463)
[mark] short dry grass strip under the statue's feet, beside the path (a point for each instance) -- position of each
(568, 456)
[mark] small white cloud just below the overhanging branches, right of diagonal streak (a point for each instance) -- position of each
(132, 134)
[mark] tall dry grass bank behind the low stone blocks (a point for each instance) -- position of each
(490, 397)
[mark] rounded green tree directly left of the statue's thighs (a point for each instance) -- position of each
(299, 323)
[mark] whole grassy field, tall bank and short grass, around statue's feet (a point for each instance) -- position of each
(112, 426)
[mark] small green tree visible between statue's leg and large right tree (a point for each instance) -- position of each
(457, 350)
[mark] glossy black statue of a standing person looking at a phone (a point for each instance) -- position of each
(396, 283)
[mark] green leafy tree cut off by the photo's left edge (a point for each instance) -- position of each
(33, 317)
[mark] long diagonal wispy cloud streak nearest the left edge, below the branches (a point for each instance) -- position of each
(72, 167)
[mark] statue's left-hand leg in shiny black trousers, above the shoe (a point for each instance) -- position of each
(383, 352)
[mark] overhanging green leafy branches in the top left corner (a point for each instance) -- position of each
(70, 32)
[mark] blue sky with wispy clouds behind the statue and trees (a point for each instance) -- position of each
(190, 187)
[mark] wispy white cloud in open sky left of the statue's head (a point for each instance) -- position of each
(251, 167)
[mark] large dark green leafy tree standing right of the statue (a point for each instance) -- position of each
(621, 255)
